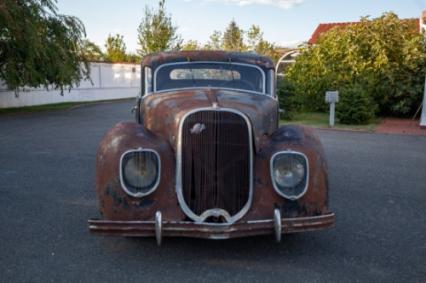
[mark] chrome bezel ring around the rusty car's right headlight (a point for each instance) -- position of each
(280, 190)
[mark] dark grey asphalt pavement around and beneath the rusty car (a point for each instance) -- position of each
(47, 171)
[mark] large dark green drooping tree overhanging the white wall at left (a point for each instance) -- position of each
(39, 46)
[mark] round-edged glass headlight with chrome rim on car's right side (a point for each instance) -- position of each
(289, 173)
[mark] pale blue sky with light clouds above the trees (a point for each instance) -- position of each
(284, 22)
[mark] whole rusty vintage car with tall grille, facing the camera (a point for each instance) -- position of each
(206, 156)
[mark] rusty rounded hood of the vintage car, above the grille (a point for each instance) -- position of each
(163, 112)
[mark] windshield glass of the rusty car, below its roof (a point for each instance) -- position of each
(212, 75)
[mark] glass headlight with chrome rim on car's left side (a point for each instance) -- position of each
(140, 171)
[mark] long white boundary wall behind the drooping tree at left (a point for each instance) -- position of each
(109, 81)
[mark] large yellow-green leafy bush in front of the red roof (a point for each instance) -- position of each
(385, 58)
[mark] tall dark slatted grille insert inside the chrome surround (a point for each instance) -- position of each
(216, 162)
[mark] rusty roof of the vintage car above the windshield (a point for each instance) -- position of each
(157, 59)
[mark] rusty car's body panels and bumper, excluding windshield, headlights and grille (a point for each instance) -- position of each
(159, 116)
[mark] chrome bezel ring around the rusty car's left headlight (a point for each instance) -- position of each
(122, 177)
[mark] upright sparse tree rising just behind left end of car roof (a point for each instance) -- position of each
(156, 31)
